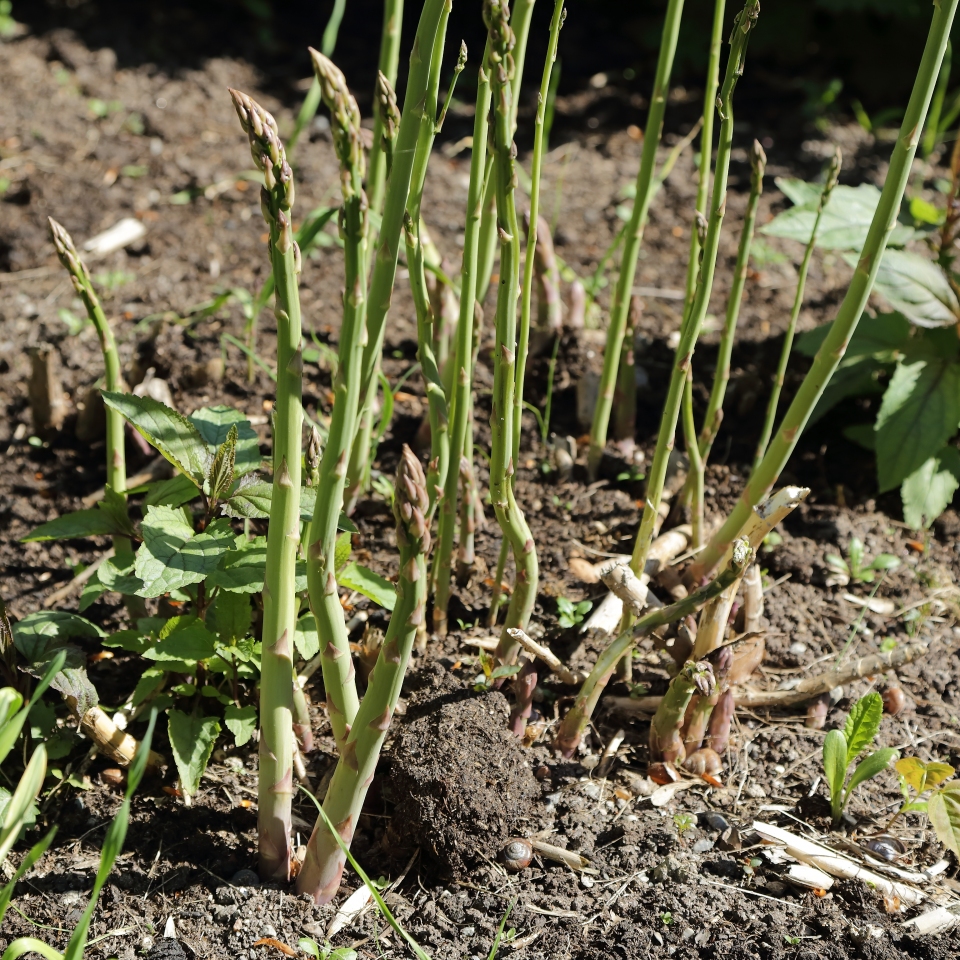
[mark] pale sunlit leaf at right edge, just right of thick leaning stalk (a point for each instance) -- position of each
(916, 287)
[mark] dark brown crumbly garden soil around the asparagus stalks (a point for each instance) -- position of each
(457, 787)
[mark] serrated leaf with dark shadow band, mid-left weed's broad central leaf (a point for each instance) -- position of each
(172, 556)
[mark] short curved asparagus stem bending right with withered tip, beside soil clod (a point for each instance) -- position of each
(577, 718)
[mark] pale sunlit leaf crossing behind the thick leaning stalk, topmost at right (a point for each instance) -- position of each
(845, 221)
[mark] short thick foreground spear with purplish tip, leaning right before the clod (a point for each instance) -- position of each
(323, 867)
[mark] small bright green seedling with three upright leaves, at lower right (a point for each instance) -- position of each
(842, 747)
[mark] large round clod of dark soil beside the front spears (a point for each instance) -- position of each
(462, 784)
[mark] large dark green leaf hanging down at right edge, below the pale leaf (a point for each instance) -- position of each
(919, 414)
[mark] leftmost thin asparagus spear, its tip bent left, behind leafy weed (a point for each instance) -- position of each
(113, 379)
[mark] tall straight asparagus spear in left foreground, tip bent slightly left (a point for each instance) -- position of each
(283, 533)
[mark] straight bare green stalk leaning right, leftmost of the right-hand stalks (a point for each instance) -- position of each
(634, 235)
